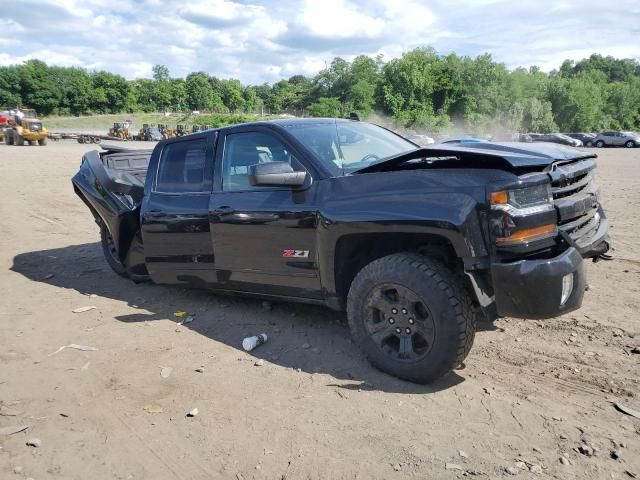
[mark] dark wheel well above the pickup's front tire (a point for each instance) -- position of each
(354, 252)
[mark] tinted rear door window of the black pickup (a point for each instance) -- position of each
(182, 168)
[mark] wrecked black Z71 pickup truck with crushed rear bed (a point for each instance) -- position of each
(415, 243)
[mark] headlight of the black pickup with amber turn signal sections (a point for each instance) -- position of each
(523, 215)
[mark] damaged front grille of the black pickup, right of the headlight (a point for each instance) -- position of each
(575, 195)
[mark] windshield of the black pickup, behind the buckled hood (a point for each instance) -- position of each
(344, 147)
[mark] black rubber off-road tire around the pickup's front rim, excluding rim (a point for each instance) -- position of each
(448, 302)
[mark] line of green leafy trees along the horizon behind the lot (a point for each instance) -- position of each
(420, 89)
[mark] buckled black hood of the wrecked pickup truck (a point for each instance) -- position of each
(517, 157)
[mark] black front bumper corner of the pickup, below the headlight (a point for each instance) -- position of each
(533, 288)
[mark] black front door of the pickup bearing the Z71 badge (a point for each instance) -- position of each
(264, 237)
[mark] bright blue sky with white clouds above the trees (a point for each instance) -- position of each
(261, 41)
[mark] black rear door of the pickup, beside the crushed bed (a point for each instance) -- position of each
(175, 214)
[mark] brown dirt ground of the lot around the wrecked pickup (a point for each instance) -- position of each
(531, 392)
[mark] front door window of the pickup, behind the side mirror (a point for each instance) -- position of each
(241, 150)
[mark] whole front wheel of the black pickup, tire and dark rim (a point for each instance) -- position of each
(411, 316)
